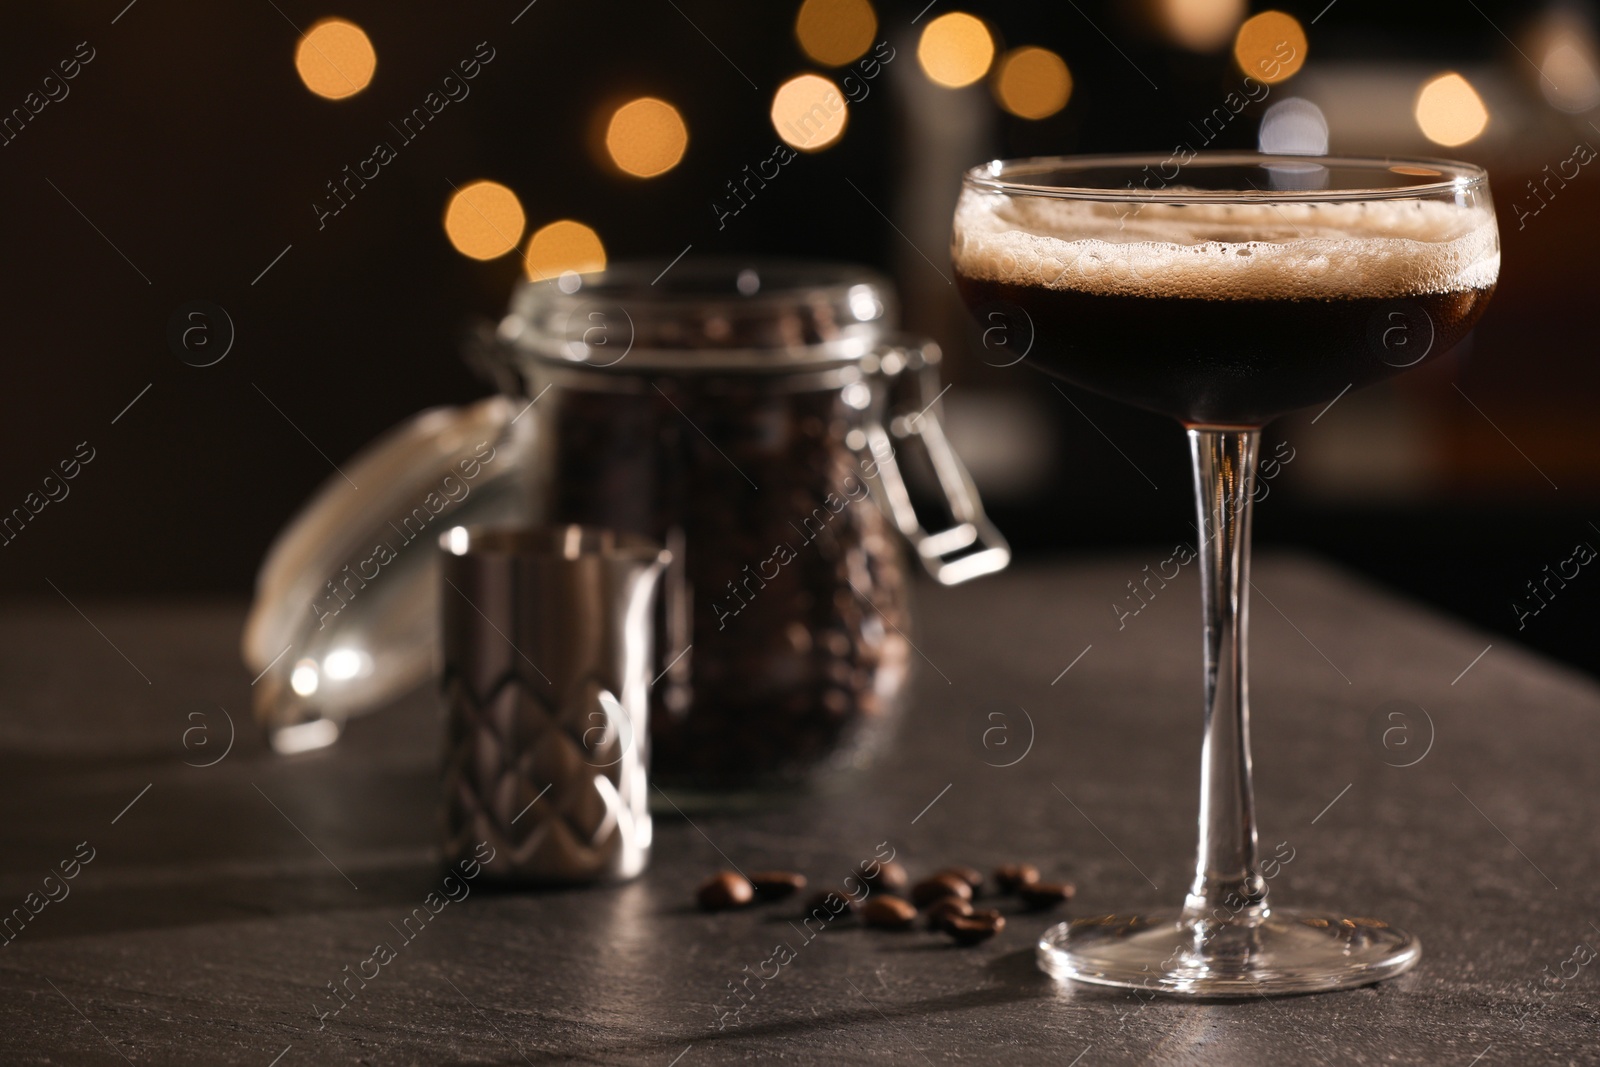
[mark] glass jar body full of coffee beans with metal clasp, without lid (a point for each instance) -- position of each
(754, 422)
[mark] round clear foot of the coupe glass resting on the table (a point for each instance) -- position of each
(1282, 953)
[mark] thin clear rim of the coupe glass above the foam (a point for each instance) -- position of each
(1002, 177)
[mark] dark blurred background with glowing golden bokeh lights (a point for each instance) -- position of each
(156, 156)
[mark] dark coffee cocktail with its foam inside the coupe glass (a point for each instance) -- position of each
(1223, 314)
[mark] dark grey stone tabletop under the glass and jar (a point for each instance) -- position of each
(222, 901)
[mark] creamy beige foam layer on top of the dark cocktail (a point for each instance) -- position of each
(1382, 249)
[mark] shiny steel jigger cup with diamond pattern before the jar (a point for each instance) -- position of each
(546, 673)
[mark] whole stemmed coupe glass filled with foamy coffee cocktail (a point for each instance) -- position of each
(1225, 290)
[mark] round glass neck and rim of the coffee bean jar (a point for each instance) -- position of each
(703, 316)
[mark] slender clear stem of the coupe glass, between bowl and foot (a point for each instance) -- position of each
(1228, 882)
